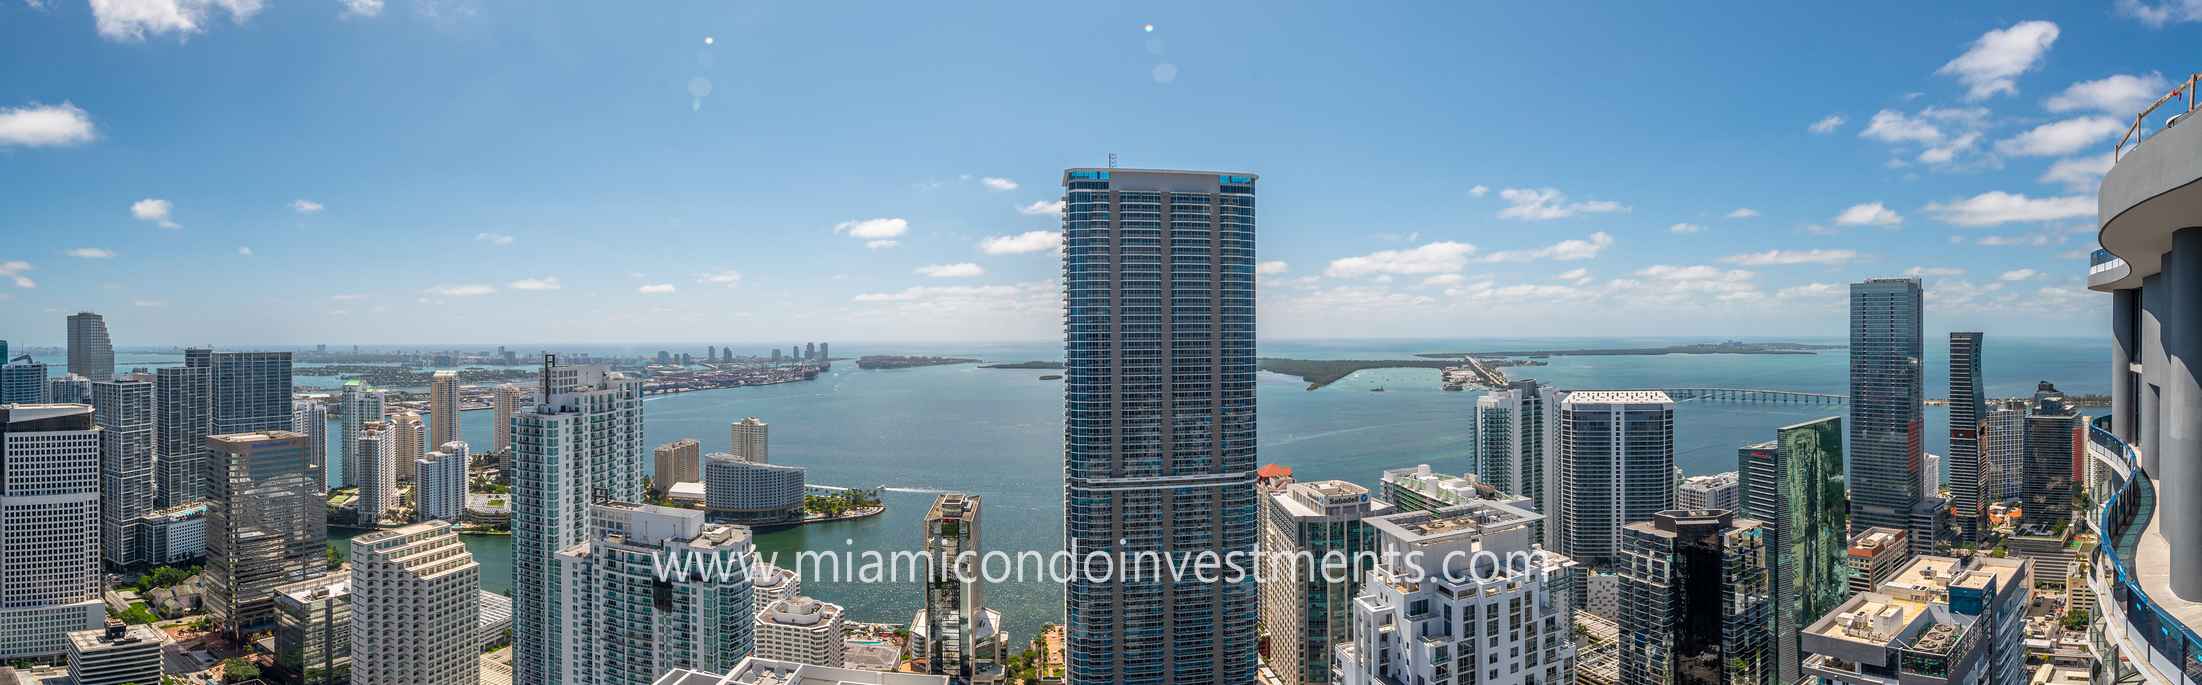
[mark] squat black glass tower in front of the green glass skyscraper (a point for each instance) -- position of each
(1694, 600)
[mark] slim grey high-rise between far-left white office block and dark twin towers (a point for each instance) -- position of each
(124, 413)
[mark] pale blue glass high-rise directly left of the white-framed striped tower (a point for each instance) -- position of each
(1518, 446)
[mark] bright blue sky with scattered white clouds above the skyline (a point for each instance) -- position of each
(338, 173)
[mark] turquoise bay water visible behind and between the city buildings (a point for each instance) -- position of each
(999, 433)
